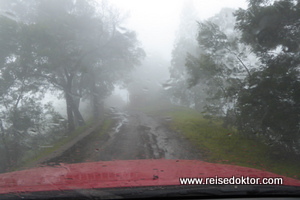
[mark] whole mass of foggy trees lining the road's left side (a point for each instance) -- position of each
(77, 49)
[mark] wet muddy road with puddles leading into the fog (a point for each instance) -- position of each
(135, 135)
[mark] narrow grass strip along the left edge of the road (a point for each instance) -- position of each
(61, 142)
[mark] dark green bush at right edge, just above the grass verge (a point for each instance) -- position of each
(270, 105)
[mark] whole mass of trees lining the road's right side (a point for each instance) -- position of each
(247, 70)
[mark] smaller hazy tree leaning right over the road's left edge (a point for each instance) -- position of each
(116, 61)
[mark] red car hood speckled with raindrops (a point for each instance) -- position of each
(127, 173)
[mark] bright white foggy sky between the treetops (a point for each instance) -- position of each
(156, 21)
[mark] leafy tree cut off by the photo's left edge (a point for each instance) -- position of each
(20, 91)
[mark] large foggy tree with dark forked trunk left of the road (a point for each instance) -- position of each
(69, 38)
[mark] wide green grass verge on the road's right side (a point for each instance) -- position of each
(226, 146)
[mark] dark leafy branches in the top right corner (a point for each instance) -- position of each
(267, 26)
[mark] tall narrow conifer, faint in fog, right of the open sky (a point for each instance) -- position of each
(185, 42)
